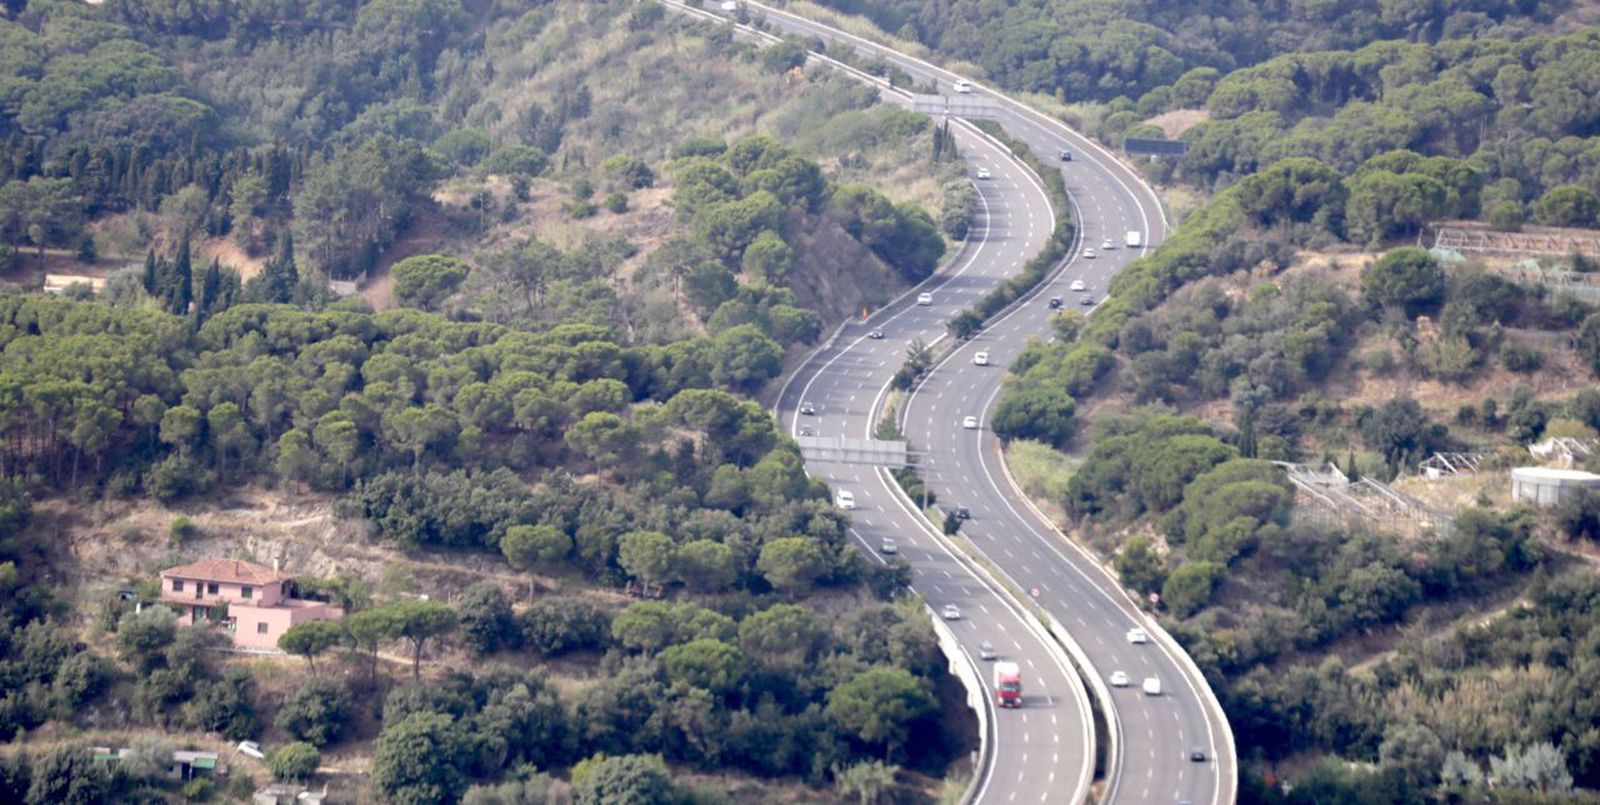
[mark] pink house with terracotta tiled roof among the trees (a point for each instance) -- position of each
(258, 601)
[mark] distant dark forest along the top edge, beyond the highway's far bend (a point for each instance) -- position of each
(1094, 50)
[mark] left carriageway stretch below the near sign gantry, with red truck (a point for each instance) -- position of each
(1038, 731)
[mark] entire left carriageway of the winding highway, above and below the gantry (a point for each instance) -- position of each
(1046, 750)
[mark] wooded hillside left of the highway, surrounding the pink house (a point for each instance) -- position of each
(578, 290)
